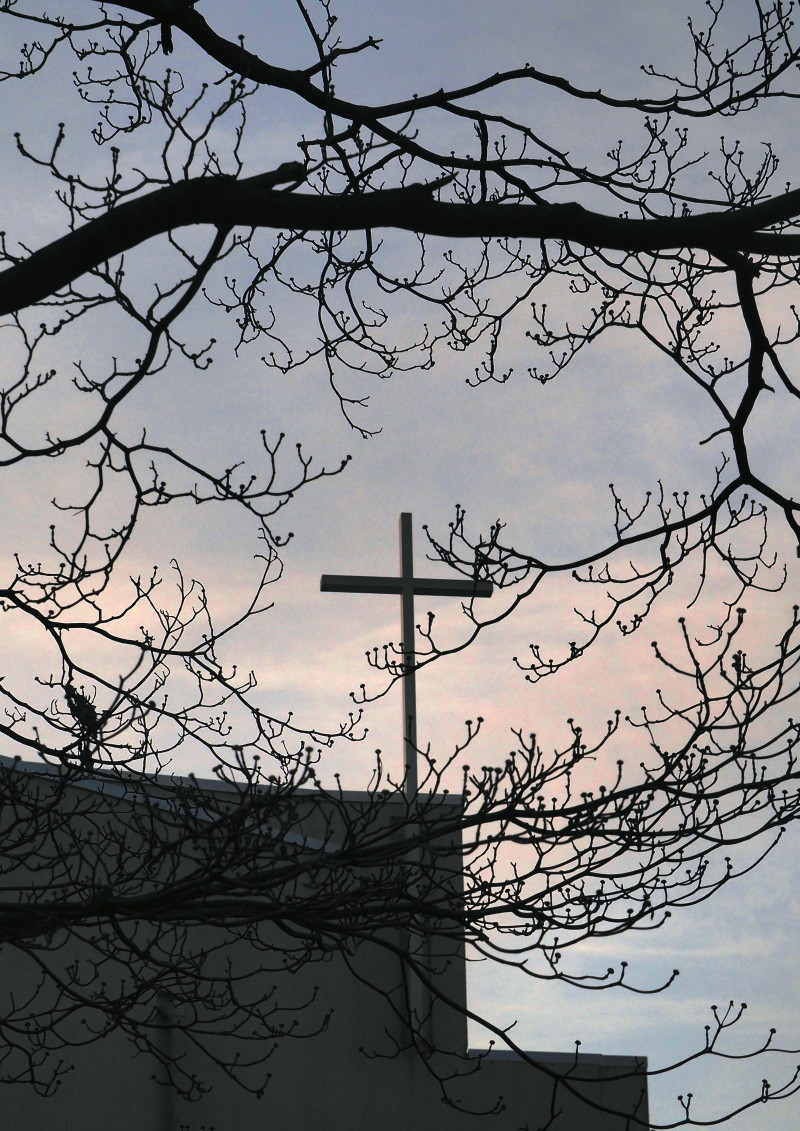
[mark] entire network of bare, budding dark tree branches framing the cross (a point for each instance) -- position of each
(449, 220)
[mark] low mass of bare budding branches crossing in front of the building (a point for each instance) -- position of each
(531, 862)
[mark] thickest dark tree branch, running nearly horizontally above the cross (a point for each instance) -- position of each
(254, 203)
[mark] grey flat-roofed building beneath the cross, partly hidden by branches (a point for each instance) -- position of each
(333, 1080)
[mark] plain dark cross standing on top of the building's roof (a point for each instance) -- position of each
(407, 585)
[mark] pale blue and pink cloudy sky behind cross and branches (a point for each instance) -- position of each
(538, 457)
